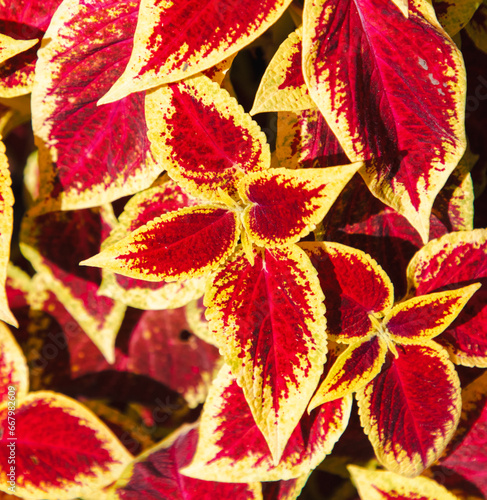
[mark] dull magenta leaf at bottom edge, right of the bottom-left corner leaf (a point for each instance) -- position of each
(156, 474)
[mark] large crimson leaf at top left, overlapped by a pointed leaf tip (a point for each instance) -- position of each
(89, 155)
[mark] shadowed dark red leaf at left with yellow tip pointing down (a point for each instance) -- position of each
(55, 243)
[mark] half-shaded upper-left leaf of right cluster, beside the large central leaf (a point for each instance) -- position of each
(354, 286)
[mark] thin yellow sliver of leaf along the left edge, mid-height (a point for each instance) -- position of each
(6, 228)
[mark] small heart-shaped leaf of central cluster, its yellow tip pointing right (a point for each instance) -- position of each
(283, 205)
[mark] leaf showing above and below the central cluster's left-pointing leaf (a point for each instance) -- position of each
(140, 209)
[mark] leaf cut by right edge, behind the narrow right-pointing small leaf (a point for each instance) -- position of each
(452, 261)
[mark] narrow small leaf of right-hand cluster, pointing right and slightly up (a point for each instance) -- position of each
(426, 316)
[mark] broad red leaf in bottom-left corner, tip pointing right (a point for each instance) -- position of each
(62, 450)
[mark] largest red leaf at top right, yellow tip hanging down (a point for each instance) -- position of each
(403, 110)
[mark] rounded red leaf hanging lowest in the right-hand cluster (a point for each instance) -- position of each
(411, 409)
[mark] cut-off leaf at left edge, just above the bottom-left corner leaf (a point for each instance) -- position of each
(13, 367)
